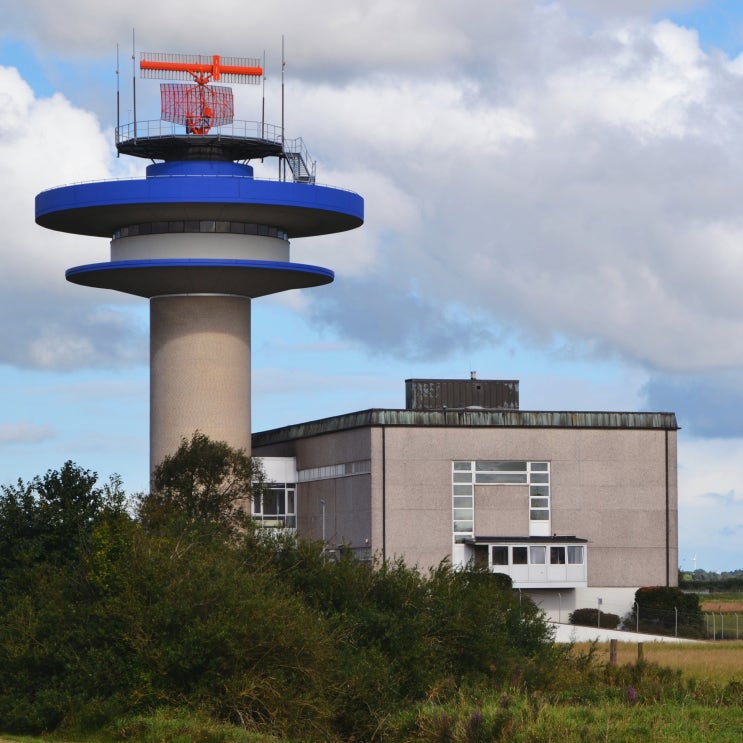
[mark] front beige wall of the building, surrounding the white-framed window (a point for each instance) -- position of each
(607, 486)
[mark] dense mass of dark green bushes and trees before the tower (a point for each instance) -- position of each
(111, 609)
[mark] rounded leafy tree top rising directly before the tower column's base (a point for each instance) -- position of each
(203, 482)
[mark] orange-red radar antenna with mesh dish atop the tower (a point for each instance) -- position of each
(198, 107)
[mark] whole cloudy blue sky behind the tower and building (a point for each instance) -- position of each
(552, 191)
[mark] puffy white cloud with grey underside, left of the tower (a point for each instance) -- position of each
(46, 322)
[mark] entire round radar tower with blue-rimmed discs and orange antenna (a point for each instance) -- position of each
(200, 237)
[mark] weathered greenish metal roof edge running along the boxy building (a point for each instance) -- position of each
(467, 418)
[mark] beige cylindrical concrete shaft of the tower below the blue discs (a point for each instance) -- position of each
(199, 371)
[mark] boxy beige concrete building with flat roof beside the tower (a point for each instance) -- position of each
(579, 508)
